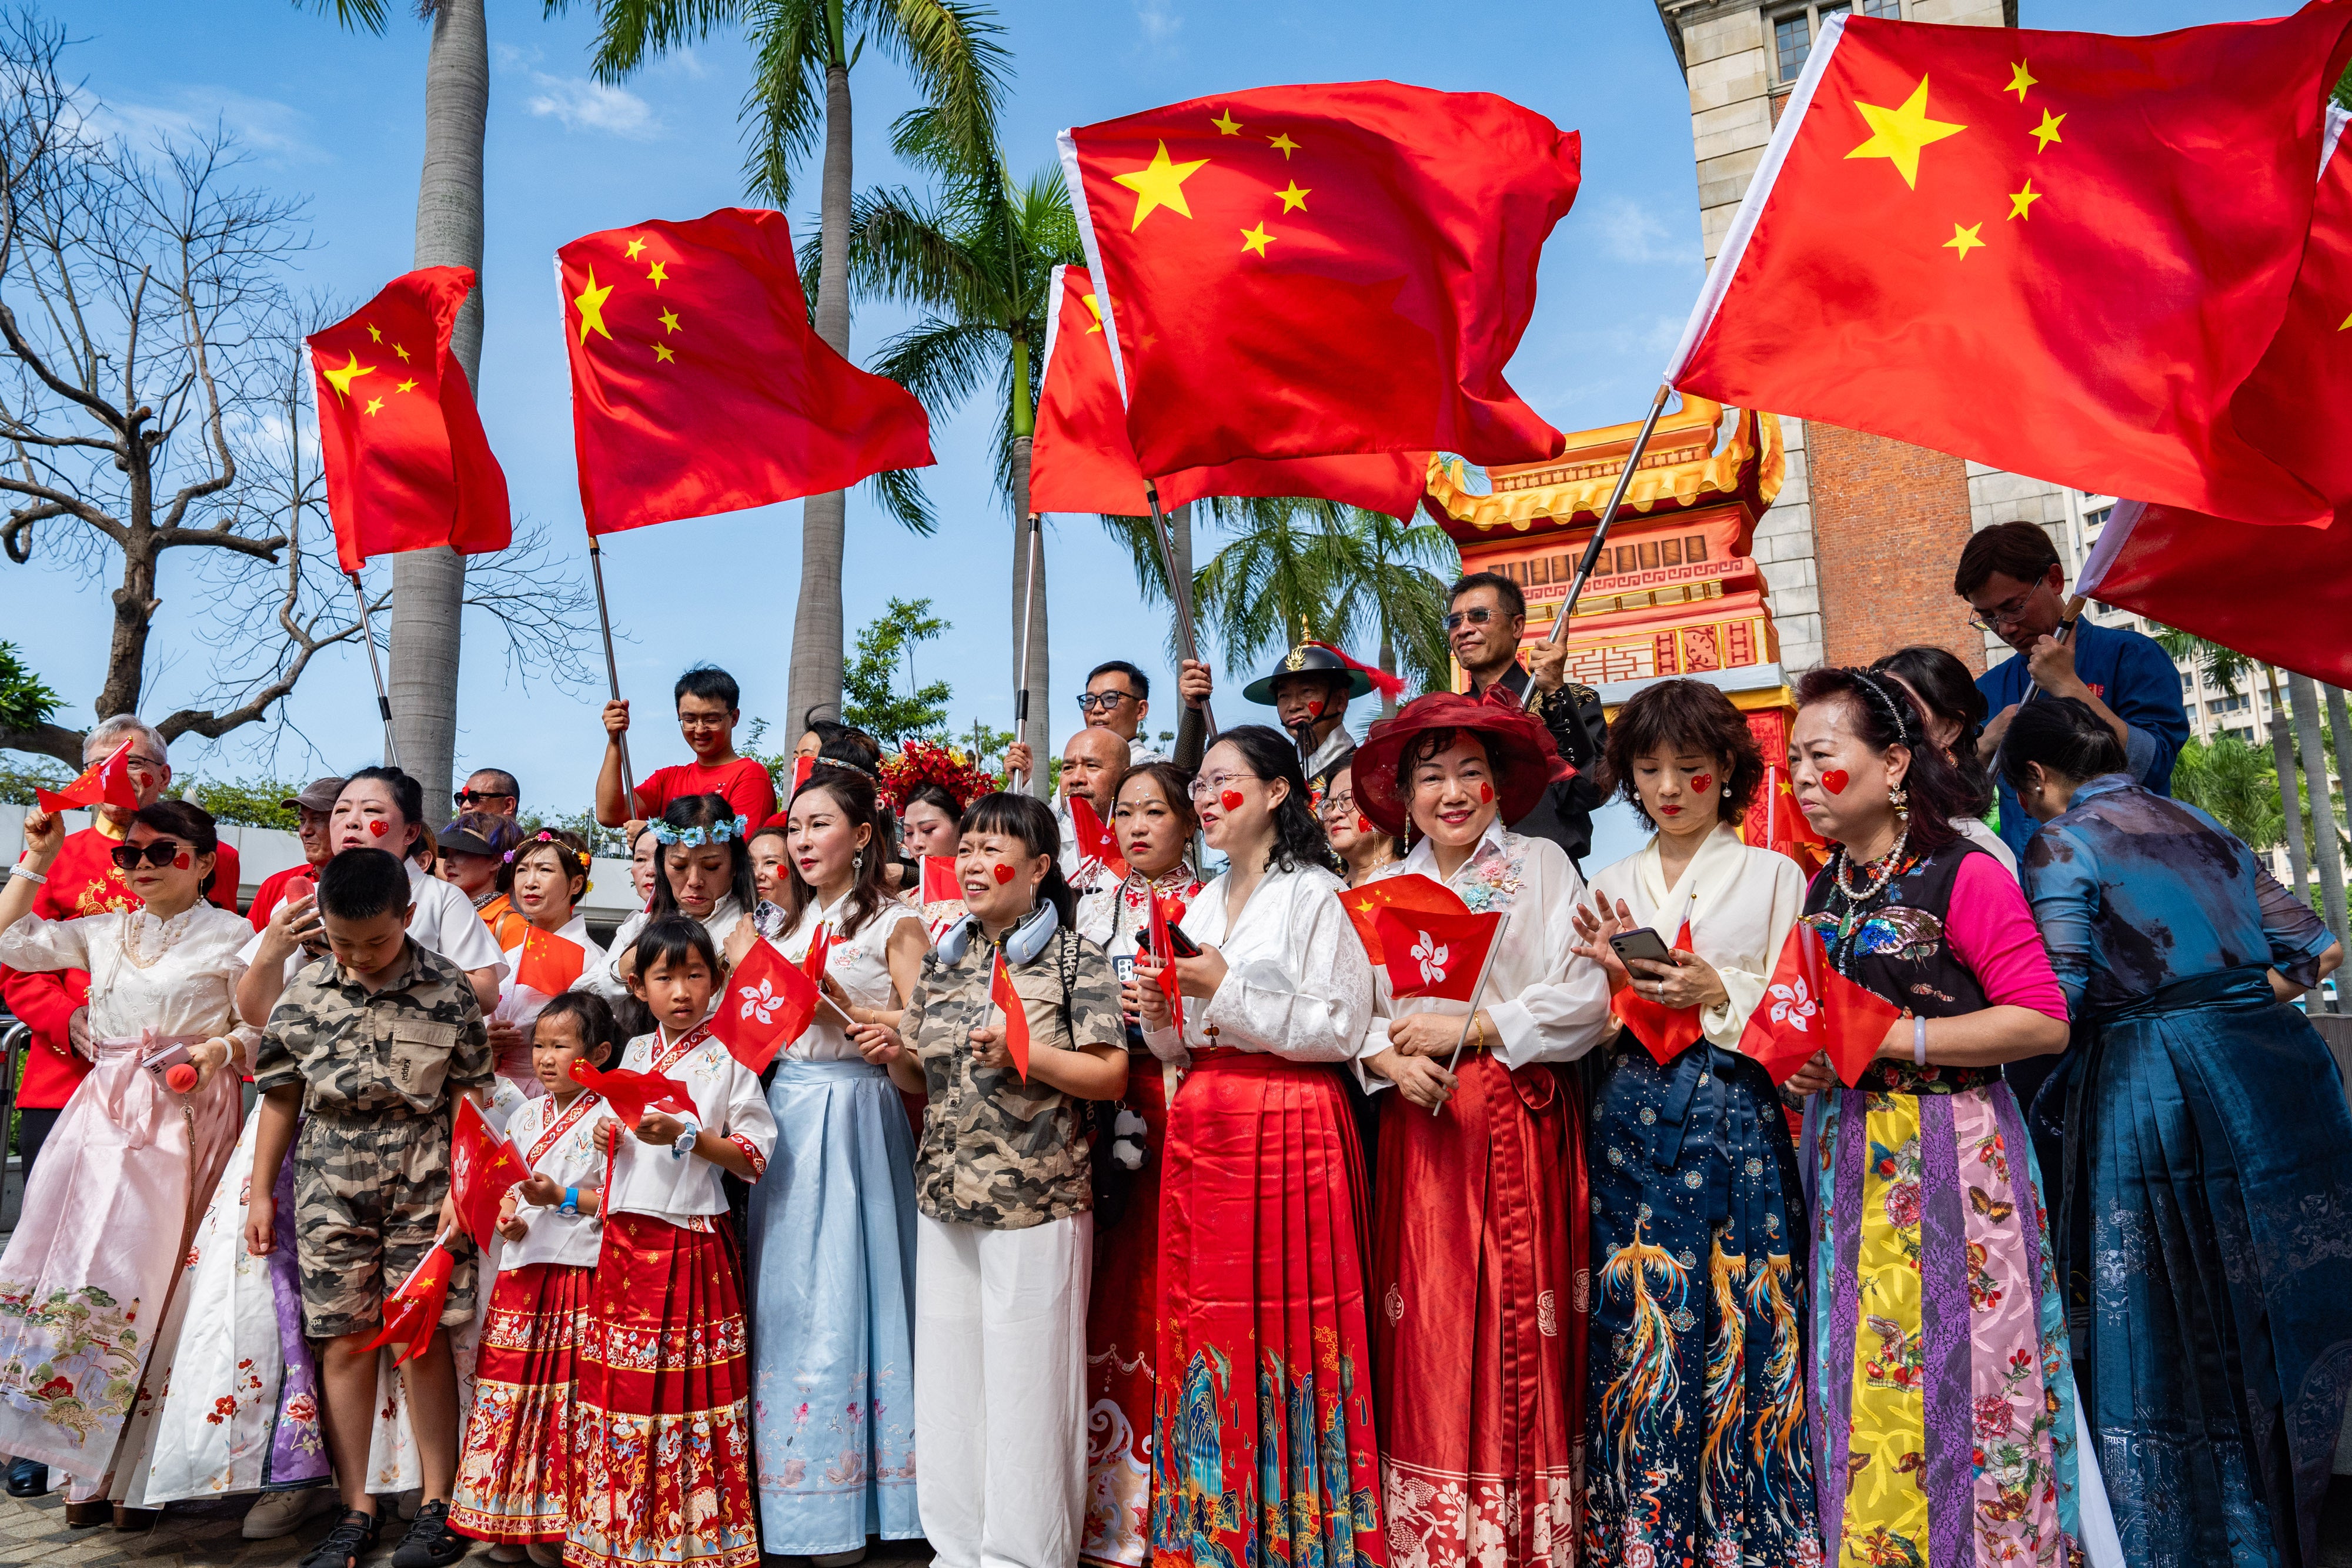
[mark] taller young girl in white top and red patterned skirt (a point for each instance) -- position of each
(664, 1386)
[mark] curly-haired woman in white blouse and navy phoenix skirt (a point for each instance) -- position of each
(1697, 1386)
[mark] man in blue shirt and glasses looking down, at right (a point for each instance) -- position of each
(2012, 579)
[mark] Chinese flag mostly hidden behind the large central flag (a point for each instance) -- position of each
(1083, 460)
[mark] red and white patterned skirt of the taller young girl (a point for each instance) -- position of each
(664, 1416)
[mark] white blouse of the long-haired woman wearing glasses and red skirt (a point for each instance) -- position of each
(1297, 981)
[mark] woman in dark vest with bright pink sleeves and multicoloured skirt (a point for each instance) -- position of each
(1944, 1400)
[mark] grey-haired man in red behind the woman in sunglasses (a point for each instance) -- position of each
(86, 883)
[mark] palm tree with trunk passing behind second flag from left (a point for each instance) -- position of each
(803, 53)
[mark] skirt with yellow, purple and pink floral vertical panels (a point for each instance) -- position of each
(1939, 1381)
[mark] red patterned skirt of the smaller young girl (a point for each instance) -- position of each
(514, 1473)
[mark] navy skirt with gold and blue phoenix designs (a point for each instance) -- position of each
(1697, 1435)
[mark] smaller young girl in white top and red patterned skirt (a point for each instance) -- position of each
(516, 1468)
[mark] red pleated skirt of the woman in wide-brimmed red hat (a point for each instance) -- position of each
(1481, 1332)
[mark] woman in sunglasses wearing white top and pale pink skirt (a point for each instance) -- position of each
(140, 1146)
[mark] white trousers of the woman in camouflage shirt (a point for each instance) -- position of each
(1001, 1391)
